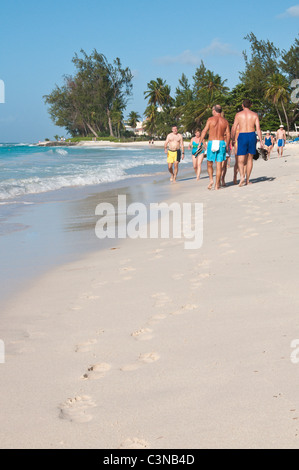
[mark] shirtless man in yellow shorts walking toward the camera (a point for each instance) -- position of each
(174, 148)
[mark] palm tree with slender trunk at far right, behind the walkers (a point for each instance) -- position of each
(278, 92)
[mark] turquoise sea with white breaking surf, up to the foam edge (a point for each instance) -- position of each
(29, 169)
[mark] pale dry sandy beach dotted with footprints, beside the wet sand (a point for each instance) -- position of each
(148, 345)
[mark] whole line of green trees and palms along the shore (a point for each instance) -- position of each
(93, 101)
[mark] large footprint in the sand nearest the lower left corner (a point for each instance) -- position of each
(75, 409)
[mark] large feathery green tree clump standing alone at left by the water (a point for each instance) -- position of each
(94, 99)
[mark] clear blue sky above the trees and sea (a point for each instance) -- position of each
(157, 38)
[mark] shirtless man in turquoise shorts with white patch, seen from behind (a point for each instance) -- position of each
(218, 144)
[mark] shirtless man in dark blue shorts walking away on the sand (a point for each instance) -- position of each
(247, 122)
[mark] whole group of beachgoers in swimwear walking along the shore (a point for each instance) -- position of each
(242, 137)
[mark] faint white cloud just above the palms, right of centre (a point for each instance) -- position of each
(188, 57)
